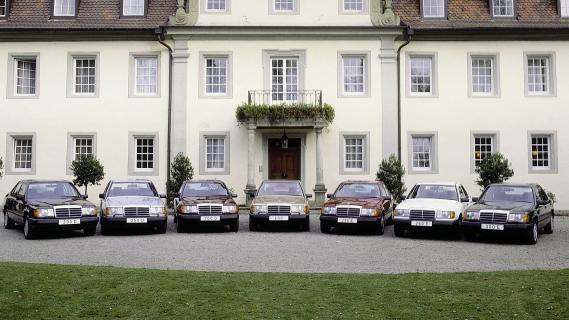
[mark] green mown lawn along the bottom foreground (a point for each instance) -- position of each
(30, 291)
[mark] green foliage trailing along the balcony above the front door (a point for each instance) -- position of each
(282, 112)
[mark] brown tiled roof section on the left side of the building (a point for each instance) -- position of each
(92, 14)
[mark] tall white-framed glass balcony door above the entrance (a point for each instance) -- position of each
(284, 80)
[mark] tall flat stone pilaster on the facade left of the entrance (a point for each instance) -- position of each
(180, 56)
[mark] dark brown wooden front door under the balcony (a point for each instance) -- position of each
(284, 163)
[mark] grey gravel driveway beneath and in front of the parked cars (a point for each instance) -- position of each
(279, 251)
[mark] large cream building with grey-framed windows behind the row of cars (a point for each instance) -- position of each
(439, 83)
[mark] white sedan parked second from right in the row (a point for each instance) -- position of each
(432, 205)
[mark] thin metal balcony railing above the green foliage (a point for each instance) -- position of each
(268, 97)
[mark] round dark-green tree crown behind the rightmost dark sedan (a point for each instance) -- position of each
(494, 168)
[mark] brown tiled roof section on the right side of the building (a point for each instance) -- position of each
(475, 14)
